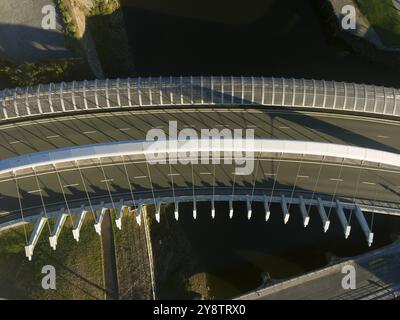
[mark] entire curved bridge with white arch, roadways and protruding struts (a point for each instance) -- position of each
(304, 153)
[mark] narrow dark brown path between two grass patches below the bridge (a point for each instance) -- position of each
(110, 266)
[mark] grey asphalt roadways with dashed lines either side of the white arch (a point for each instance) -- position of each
(100, 180)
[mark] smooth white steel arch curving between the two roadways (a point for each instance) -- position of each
(199, 146)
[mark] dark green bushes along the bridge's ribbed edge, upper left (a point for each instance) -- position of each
(28, 74)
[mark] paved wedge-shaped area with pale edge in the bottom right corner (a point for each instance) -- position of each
(377, 277)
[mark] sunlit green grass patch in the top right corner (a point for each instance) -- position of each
(384, 18)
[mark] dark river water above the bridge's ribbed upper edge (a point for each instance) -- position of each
(284, 38)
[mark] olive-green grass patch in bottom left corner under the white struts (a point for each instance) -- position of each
(79, 266)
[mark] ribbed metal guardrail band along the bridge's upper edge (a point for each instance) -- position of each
(106, 94)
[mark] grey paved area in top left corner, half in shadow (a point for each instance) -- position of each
(22, 37)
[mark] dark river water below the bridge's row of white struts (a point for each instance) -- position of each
(235, 253)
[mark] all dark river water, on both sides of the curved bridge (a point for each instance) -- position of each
(271, 38)
